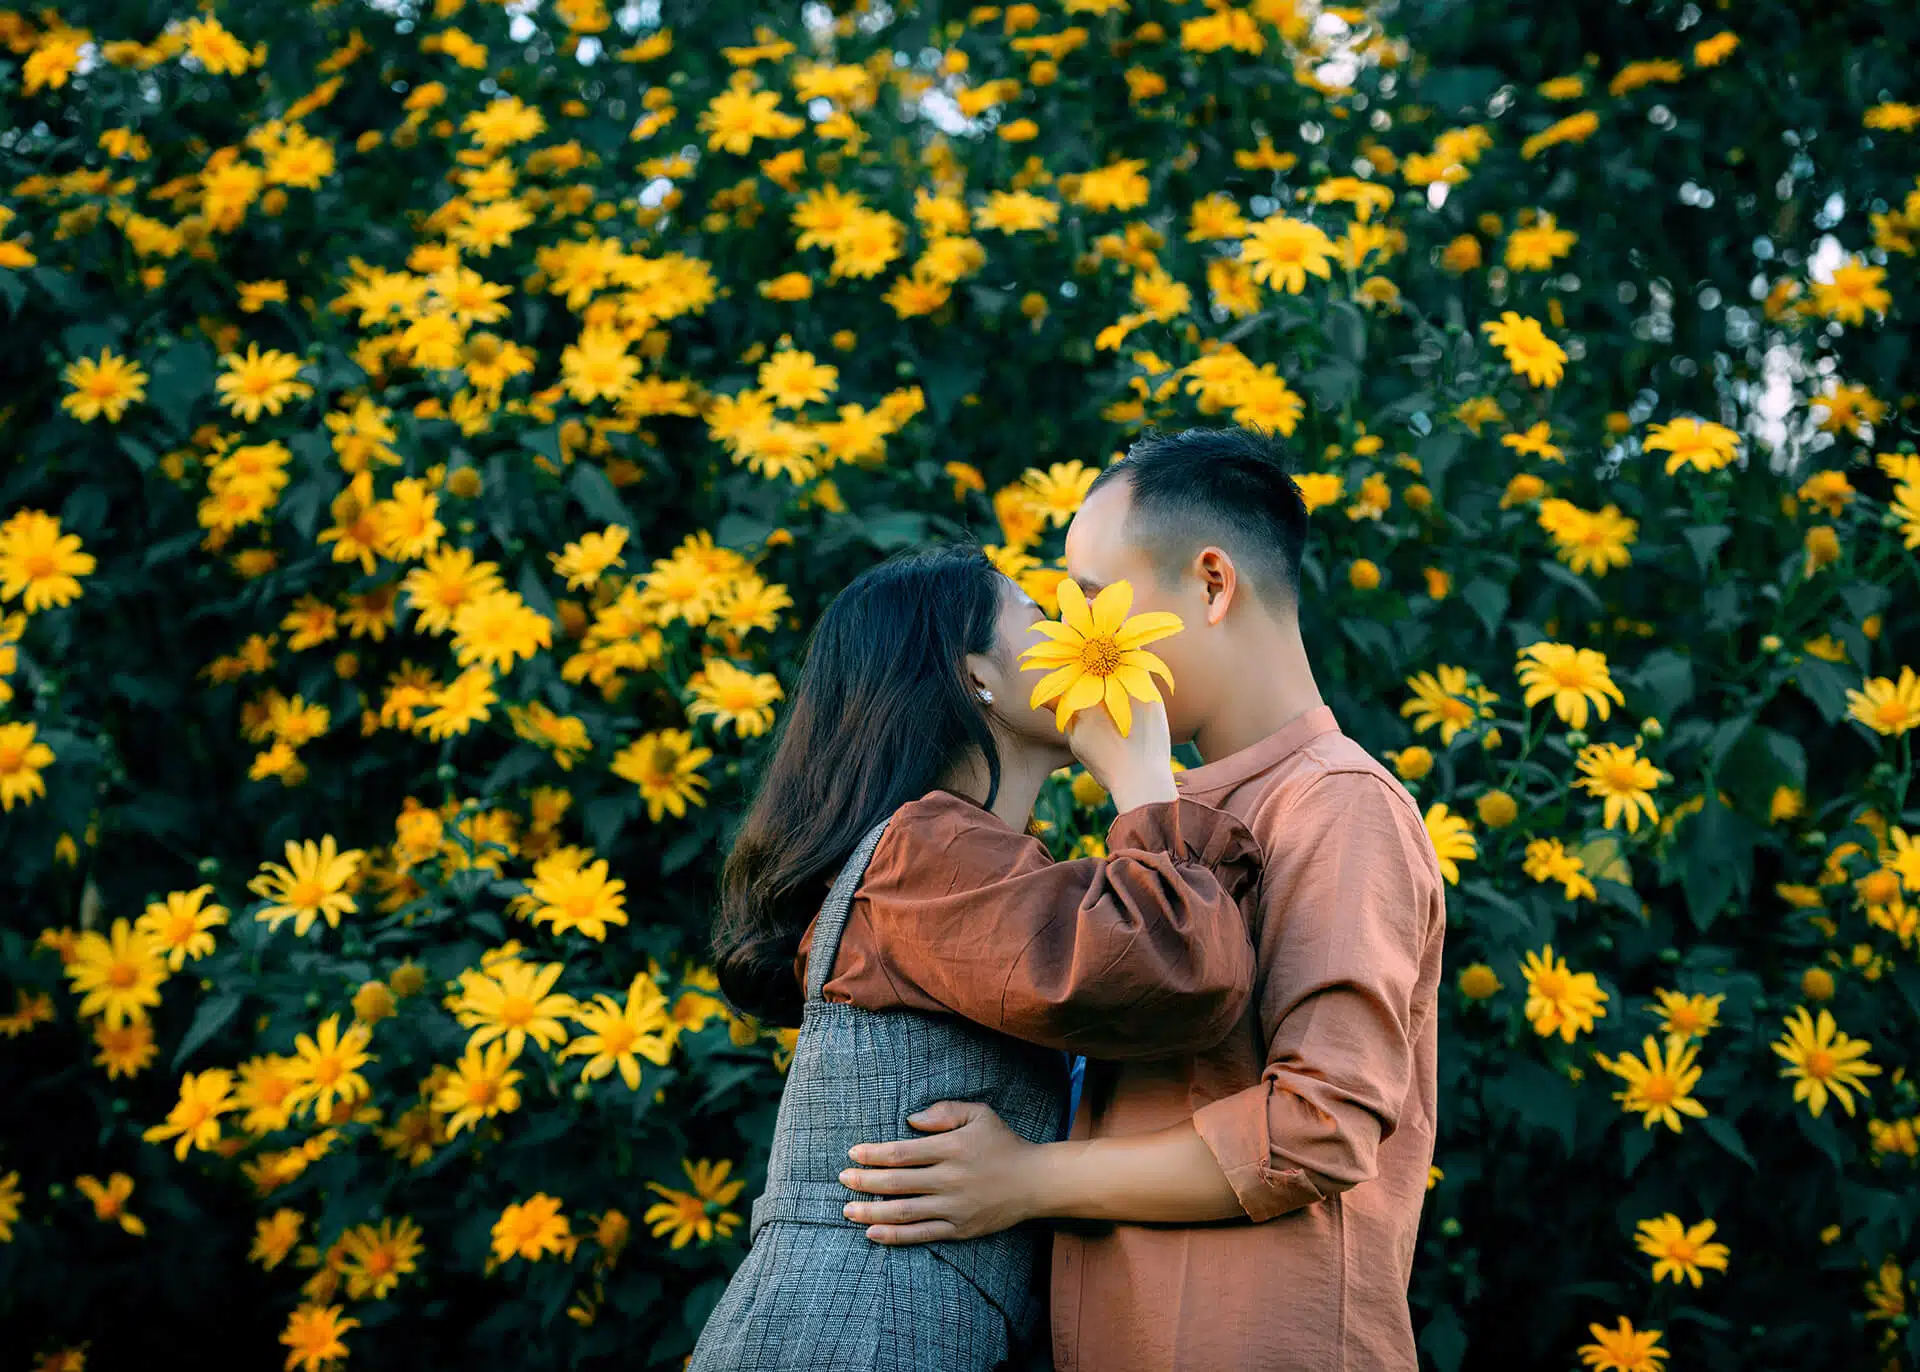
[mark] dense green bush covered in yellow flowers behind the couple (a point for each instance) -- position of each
(433, 429)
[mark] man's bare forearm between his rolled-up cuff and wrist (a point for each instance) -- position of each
(1149, 1179)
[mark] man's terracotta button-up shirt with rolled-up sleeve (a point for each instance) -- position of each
(1320, 1106)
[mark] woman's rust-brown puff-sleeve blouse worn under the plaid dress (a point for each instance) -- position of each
(1138, 955)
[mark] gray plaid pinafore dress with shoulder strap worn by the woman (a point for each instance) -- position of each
(815, 1294)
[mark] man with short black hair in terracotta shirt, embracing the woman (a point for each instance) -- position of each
(1314, 1122)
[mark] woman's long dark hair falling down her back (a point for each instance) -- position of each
(882, 713)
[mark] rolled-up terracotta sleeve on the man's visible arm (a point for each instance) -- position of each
(1347, 909)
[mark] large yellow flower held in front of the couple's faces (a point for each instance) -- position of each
(1099, 655)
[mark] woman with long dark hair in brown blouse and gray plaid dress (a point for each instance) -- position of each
(890, 836)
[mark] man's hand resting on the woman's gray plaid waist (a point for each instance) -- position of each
(971, 1177)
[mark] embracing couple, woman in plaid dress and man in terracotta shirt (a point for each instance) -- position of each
(1249, 978)
